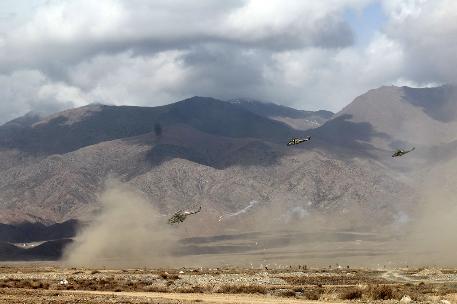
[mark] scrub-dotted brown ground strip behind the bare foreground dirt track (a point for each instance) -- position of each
(324, 285)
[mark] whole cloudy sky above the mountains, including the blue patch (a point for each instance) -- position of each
(57, 54)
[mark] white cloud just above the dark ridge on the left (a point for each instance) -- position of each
(124, 78)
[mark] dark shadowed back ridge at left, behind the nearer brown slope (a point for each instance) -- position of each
(64, 132)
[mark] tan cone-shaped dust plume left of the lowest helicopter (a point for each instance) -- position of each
(126, 232)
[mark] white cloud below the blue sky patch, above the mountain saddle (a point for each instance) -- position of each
(330, 79)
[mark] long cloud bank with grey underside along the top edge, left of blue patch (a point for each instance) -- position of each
(69, 31)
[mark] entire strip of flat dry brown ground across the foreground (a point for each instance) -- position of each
(291, 284)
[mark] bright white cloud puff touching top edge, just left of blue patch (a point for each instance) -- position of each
(293, 25)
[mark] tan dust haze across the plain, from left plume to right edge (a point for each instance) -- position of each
(129, 232)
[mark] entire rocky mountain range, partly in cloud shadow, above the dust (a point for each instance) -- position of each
(229, 158)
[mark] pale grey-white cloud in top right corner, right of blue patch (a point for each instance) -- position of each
(427, 32)
